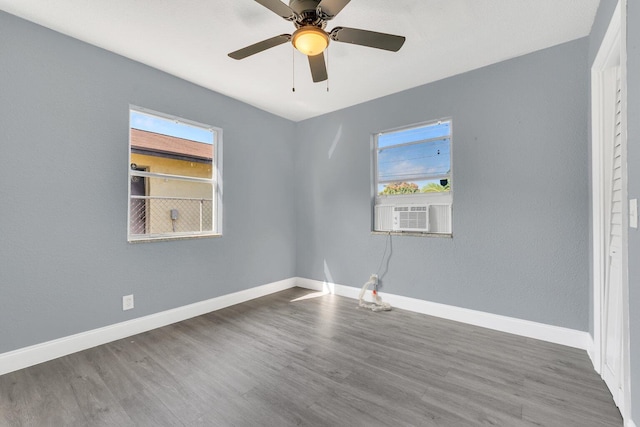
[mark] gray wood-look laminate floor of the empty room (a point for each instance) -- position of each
(321, 361)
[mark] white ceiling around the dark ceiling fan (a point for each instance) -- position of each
(191, 38)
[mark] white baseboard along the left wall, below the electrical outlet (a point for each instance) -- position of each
(39, 353)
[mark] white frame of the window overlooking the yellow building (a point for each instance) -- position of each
(215, 181)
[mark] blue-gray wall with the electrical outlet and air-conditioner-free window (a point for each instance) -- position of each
(64, 258)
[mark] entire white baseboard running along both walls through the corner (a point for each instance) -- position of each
(39, 353)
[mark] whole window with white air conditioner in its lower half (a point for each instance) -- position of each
(413, 179)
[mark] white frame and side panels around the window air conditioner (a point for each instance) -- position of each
(438, 202)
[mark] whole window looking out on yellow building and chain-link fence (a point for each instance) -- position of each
(174, 177)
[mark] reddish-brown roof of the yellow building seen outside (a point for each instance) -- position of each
(155, 142)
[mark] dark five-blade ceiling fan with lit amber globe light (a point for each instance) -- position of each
(310, 18)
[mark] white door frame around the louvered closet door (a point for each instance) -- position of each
(612, 50)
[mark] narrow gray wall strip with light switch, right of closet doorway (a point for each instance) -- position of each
(633, 162)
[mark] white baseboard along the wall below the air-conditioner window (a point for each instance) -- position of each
(540, 331)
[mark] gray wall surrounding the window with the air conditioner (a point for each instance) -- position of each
(520, 226)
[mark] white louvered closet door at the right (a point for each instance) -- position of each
(613, 286)
